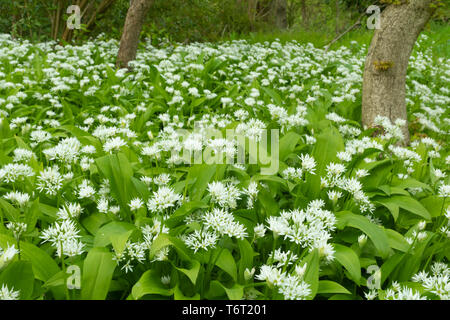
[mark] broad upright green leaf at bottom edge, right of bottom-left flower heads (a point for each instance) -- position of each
(98, 270)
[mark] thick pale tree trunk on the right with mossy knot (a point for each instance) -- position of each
(384, 81)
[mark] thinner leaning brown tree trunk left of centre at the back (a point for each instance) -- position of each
(131, 31)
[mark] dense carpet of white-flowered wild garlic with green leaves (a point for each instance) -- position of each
(92, 185)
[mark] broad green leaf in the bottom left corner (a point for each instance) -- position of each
(19, 276)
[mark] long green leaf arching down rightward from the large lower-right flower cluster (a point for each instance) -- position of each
(373, 231)
